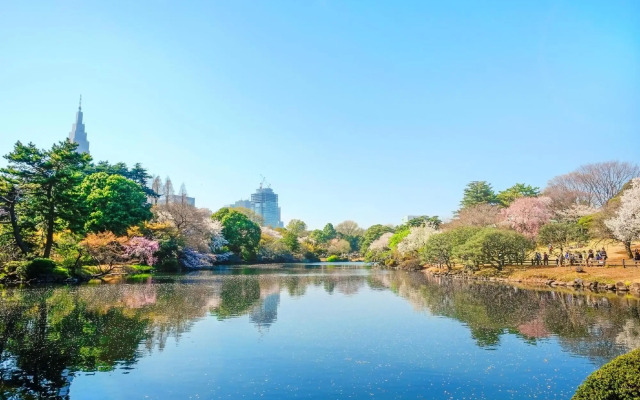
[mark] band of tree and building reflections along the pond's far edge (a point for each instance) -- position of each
(47, 335)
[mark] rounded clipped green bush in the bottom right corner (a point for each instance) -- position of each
(617, 380)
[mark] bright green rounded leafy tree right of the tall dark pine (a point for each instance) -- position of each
(113, 203)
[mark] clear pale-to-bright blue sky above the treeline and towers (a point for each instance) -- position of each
(358, 110)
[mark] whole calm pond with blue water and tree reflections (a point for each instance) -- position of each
(307, 331)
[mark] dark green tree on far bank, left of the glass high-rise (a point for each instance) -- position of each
(242, 234)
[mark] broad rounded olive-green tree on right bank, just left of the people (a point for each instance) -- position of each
(495, 247)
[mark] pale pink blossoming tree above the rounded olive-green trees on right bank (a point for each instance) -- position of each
(527, 214)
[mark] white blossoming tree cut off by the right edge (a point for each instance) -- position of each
(625, 225)
